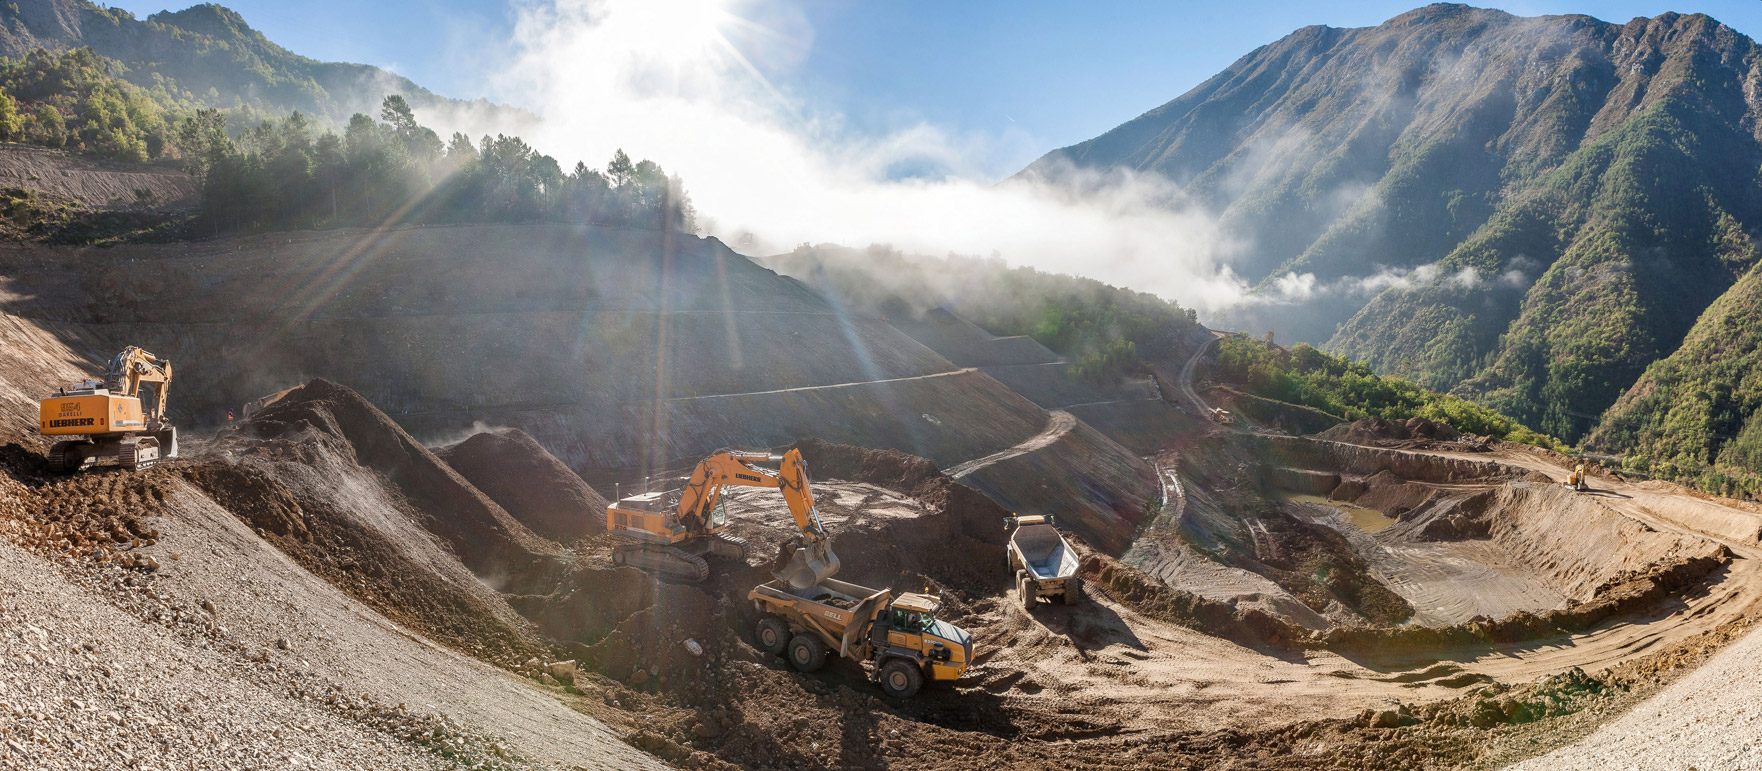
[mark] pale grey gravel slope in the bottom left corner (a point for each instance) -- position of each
(232, 656)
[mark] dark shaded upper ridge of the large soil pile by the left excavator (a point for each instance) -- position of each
(485, 538)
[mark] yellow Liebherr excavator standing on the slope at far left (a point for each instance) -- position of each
(122, 418)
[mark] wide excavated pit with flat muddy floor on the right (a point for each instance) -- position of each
(1421, 547)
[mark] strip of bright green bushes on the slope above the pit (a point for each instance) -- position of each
(1340, 386)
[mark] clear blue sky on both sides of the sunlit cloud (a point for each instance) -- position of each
(1021, 77)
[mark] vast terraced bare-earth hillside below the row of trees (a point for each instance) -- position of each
(623, 353)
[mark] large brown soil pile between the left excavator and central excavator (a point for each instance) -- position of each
(332, 483)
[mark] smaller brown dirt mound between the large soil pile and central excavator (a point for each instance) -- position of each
(529, 483)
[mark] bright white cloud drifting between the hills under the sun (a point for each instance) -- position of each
(692, 84)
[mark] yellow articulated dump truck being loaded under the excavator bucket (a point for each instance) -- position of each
(900, 638)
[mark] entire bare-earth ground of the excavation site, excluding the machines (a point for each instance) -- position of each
(323, 582)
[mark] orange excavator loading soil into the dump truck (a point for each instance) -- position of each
(672, 532)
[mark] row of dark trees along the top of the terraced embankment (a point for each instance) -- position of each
(290, 175)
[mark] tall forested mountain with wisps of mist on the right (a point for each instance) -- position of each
(1527, 212)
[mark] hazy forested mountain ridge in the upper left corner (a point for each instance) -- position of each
(209, 55)
